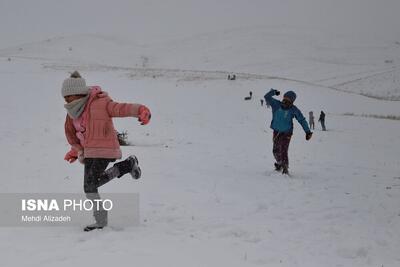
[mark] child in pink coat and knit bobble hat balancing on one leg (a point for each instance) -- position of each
(90, 132)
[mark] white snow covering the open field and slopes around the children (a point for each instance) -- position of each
(209, 195)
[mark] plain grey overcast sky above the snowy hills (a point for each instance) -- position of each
(31, 20)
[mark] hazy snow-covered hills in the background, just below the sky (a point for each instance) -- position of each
(359, 66)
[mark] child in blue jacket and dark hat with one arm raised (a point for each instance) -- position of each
(283, 113)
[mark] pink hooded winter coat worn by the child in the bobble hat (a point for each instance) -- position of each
(93, 132)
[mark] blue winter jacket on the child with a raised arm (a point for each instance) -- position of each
(282, 119)
